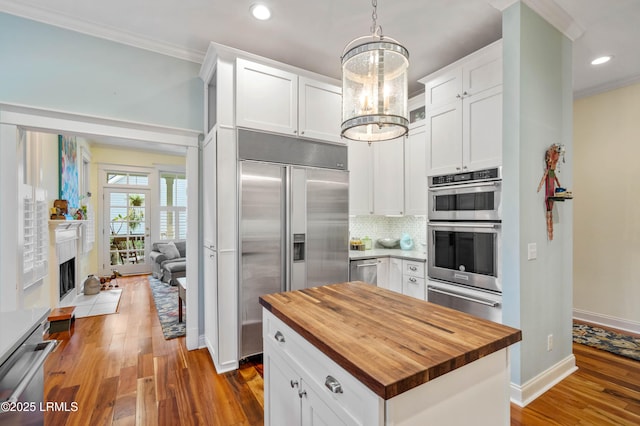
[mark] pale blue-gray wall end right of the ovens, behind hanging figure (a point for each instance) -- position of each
(538, 113)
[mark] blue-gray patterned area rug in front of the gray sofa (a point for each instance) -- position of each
(165, 297)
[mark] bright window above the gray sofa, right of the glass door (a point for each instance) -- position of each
(173, 206)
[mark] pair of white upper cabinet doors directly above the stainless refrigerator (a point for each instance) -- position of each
(279, 101)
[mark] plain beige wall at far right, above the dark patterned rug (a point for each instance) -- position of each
(607, 208)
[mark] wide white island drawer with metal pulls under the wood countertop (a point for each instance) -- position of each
(355, 405)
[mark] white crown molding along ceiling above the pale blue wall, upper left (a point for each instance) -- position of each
(117, 35)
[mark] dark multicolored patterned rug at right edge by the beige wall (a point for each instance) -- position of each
(610, 341)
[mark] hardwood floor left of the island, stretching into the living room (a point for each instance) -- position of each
(120, 370)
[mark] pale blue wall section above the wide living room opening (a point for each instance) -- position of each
(53, 68)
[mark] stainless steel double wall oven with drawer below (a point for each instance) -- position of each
(464, 242)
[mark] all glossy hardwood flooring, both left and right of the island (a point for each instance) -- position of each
(120, 371)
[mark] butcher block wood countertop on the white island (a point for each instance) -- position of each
(388, 341)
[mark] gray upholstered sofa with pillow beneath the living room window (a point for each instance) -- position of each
(169, 260)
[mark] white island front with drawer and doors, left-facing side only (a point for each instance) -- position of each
(304, 387)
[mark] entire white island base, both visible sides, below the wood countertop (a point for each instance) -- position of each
(303, 386)
